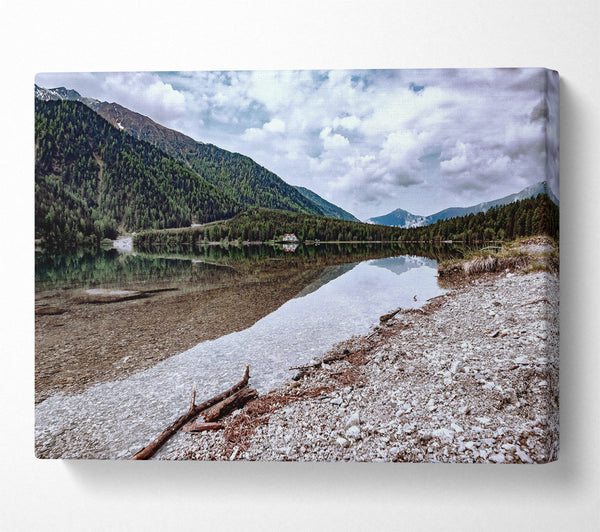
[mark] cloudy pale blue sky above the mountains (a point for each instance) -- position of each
(370, 141)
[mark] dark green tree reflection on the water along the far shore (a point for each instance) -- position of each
(110, 268)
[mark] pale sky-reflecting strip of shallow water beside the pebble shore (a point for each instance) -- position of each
(115, 420)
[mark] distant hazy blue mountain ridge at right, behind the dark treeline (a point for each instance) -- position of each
(405, 219)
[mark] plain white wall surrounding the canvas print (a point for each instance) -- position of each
(158, 35)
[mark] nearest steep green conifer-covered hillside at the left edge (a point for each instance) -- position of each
(92, 179)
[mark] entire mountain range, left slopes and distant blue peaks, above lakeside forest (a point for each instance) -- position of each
(91, 180)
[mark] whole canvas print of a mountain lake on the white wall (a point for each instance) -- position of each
(338, 265)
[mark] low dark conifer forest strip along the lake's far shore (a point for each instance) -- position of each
(534, 216)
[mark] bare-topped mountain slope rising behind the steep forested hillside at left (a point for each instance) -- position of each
(238, 176)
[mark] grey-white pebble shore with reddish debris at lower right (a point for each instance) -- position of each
(470, 377)
